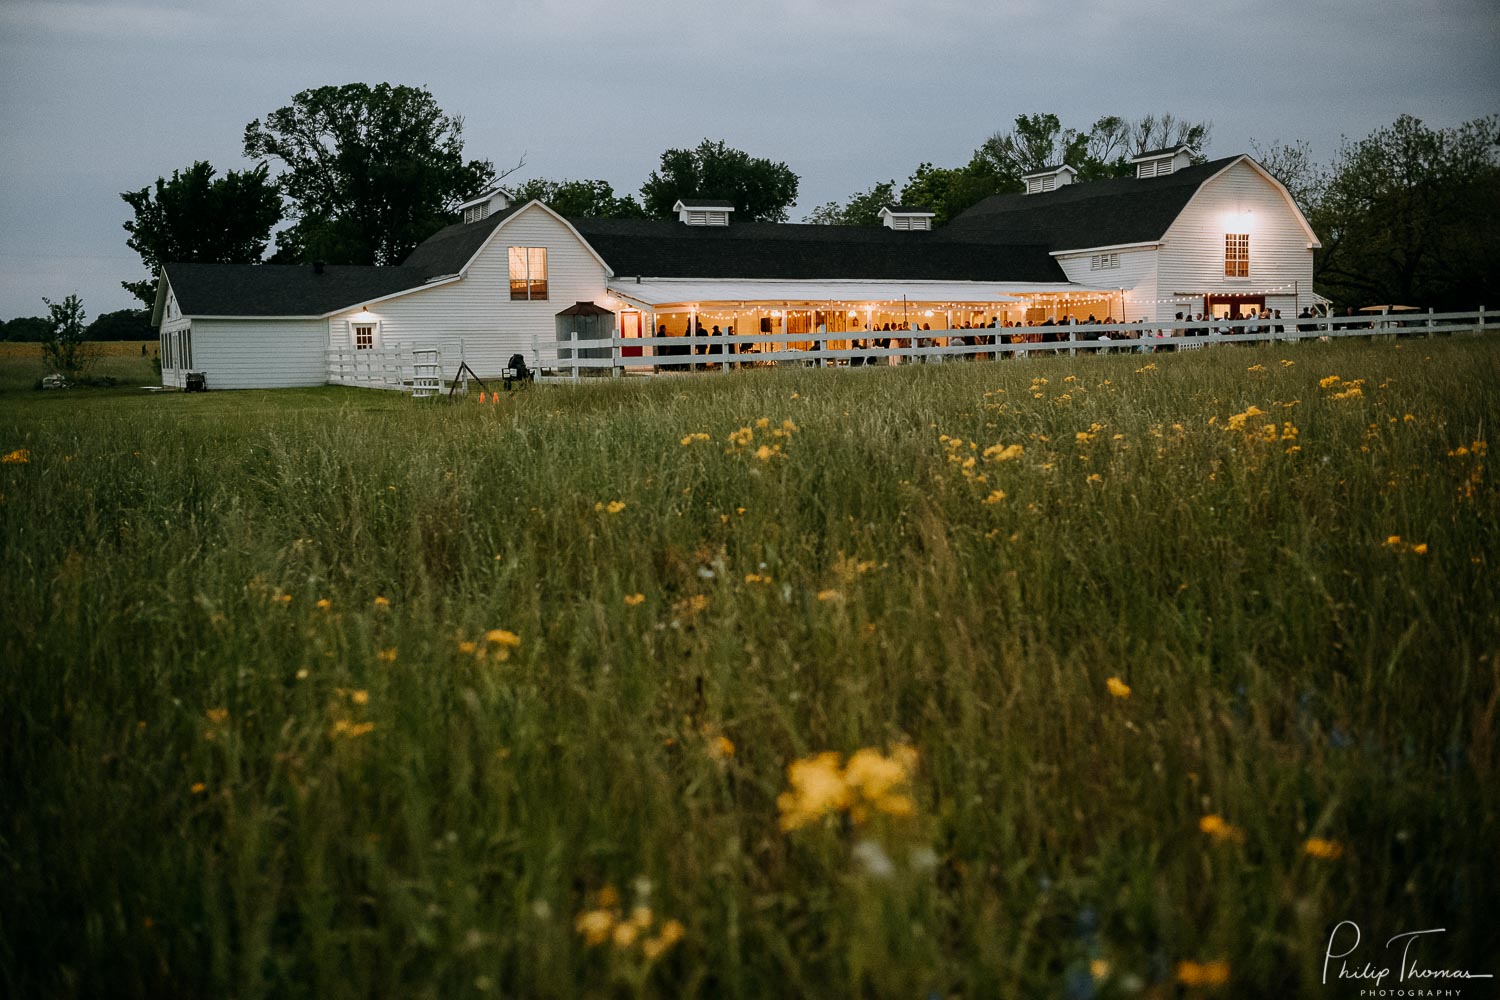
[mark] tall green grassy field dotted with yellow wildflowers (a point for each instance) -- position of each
(1165, 665)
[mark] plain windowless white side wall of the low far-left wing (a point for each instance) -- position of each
(260, 353)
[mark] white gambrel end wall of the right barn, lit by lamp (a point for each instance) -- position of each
(1192, 259)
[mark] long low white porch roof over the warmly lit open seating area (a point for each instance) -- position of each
(653, 293)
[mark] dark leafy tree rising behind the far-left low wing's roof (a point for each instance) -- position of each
(199, 218)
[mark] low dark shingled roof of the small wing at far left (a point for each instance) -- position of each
(283, 290)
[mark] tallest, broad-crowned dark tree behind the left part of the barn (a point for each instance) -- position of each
(371, 172)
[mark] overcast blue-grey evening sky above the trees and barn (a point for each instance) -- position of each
(100, 97)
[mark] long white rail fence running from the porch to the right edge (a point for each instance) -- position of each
(905, 347)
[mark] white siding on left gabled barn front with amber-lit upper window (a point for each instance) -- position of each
(479, 311)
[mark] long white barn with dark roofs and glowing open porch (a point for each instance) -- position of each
(1180, 238)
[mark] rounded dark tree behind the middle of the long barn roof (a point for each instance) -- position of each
(760, 190)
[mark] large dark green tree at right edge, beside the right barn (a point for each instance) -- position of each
(1412, 217)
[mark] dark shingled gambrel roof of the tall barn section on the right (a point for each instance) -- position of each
(1084, 215)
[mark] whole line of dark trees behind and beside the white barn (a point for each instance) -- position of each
(364, 175)
